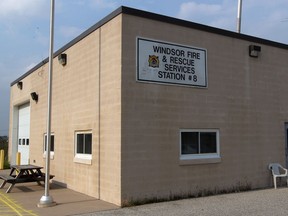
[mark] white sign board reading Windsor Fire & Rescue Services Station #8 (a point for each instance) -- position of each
(162, 62)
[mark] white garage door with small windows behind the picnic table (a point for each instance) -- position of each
(24, 132)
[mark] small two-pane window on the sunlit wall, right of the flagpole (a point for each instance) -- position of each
(83, 145)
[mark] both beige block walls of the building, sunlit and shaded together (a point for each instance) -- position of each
(135, 126)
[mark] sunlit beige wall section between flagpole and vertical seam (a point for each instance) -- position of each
(75, 108)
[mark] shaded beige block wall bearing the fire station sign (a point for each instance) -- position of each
(245, 100)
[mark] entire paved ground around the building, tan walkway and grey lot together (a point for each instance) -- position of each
(23, 199)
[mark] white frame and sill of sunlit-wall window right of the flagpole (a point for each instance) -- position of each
(79, 157)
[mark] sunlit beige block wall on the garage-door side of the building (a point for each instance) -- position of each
(77, 105)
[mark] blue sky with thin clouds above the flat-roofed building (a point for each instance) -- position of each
(24, 27)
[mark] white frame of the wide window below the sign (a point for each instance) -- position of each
(201, 156)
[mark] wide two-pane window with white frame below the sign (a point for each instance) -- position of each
(199, 144)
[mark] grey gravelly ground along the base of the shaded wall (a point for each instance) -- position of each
(267, 202)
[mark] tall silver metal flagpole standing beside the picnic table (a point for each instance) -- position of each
(47, 200)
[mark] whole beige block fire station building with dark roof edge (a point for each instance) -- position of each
(147, 106)
